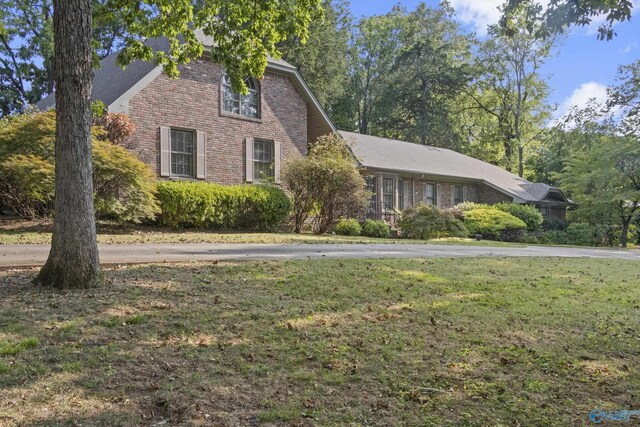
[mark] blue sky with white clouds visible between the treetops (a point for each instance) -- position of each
(582, 66)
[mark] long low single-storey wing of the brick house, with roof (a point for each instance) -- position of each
(402, 174)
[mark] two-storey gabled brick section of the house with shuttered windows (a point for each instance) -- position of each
(197, 127)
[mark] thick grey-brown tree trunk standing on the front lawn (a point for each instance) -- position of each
(73, 261)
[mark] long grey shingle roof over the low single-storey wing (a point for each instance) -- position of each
(388, 154)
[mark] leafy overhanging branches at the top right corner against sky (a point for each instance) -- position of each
(561, 14)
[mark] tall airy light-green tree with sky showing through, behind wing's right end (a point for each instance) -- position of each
(511, 91)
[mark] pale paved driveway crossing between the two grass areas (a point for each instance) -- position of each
(35, 255)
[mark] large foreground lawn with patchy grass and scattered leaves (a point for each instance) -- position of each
(474, 342)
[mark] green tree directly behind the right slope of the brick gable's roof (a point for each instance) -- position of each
(322, 60)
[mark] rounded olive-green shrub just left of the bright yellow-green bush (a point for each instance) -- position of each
(428, 222)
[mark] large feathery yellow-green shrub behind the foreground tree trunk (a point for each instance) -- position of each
(123, 185)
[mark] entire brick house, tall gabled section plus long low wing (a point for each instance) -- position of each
(196, 127)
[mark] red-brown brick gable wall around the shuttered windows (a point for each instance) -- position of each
(193, 102)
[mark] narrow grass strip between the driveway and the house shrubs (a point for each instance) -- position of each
(33, 232)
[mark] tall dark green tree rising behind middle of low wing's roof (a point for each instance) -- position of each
(430, 71)
